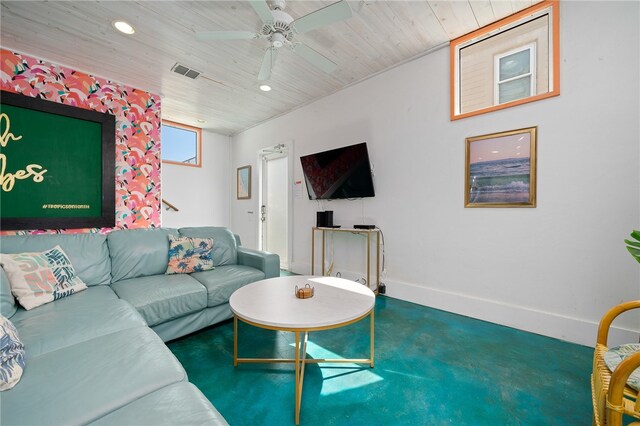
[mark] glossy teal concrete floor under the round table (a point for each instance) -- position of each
(431, 368)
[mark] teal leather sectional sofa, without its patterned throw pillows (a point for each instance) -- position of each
(98, 356)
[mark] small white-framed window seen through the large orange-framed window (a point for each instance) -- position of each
(515, 74)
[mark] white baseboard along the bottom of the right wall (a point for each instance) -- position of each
(574, 330)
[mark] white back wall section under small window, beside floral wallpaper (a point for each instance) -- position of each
(200, 193)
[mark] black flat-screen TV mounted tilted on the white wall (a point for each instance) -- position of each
(339, 173)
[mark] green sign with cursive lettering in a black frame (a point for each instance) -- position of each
(57, 165)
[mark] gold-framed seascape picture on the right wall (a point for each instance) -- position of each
(501, 169)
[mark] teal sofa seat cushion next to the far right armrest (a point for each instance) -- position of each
(224, 280)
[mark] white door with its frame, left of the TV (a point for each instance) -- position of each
(275, 202)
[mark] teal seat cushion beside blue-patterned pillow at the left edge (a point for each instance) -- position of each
(81, 383)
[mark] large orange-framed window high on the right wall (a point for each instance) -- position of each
(507, 63)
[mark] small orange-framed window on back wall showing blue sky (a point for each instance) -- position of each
(181, 144)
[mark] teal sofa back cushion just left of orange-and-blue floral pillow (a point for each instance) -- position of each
(139, 252)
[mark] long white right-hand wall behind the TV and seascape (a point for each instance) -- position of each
(553, 269)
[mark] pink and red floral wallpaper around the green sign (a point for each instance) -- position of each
(137, 115)
